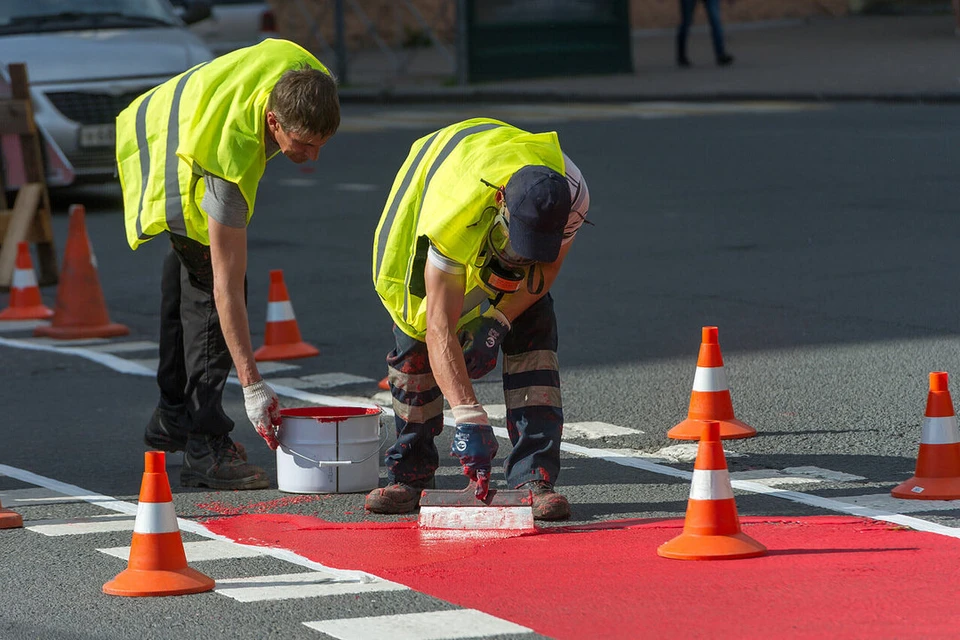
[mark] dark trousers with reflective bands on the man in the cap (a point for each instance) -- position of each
(531, 390)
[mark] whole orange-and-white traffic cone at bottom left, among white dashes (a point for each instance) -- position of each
(158, 563)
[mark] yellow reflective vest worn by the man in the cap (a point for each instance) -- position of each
(438, 197)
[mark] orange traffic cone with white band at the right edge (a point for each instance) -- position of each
(937, 475)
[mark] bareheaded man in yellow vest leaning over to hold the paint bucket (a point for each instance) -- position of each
(190, 155)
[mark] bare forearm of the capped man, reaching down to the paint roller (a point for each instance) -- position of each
(445, 293)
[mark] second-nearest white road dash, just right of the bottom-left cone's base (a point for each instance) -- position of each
(311, 584)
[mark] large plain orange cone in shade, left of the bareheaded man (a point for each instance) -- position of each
(80, 311)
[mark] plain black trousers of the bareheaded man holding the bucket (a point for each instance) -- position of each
(194, 359)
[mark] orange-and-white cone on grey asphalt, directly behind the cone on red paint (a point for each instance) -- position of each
(710, 398)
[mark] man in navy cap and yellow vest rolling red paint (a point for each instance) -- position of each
(475, 229)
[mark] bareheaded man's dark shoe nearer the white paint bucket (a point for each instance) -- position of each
(215, 462)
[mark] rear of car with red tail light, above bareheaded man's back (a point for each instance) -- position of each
(232, 23)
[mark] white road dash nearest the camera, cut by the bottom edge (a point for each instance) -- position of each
(437, 625)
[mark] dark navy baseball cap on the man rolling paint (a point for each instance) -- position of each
(538, 199)
